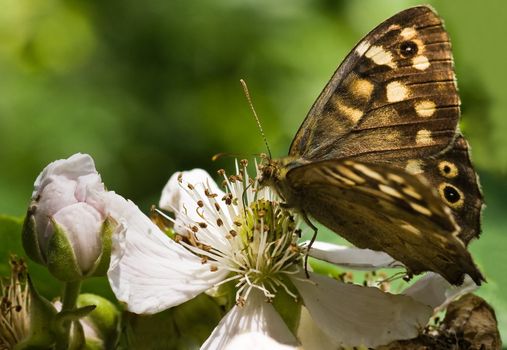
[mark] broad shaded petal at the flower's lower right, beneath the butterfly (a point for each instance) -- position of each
(353, 315)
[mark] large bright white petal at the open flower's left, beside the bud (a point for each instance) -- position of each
(149, 271)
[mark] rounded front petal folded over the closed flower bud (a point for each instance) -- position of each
(83, 225)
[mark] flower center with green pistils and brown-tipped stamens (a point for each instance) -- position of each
(245, 231)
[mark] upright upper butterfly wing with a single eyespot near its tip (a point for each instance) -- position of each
(393, 97)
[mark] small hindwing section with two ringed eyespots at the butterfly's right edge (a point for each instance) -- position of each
(452, 175)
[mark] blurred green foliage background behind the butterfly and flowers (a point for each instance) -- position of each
(149, 88)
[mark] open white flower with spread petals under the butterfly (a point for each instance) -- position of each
(246, 236)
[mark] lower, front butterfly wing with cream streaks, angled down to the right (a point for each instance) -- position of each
(385, 209)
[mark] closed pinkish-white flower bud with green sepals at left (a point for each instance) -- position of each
(66, 227)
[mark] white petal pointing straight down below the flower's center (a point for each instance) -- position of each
(256, 316)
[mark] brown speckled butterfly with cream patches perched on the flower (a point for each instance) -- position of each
(379, 158)
